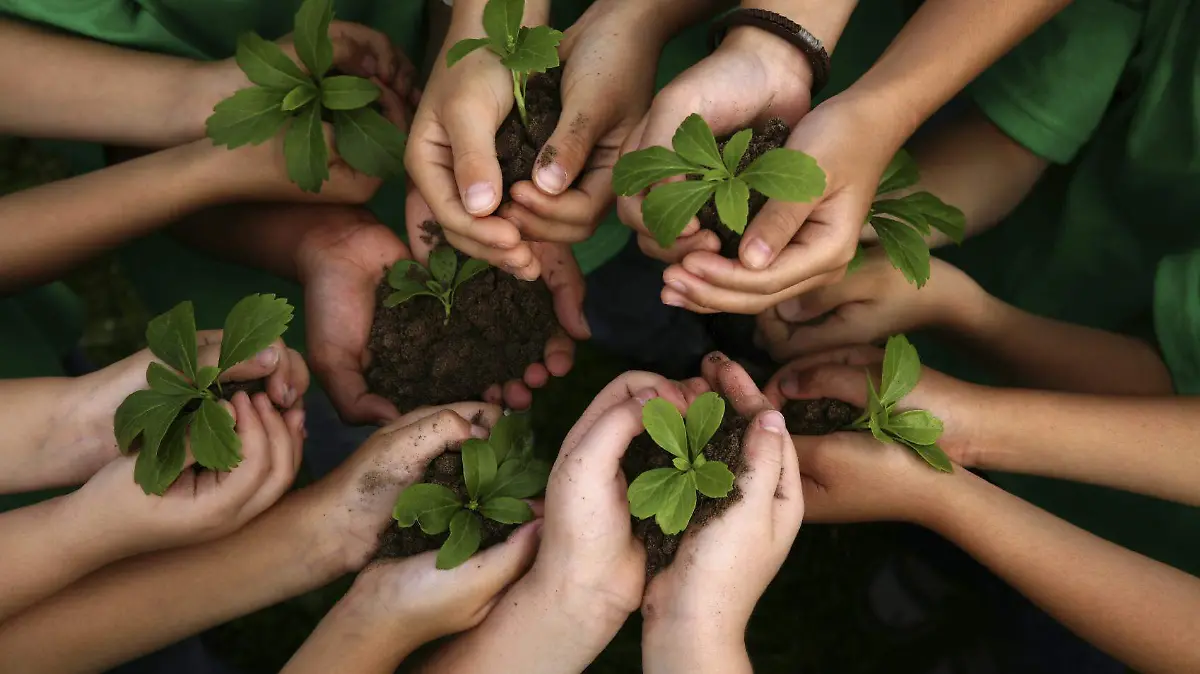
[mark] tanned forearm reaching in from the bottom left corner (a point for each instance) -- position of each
(118, 613)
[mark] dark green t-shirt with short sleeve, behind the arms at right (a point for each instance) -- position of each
(1108, 91)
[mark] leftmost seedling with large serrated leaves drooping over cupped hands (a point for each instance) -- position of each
(181, 410)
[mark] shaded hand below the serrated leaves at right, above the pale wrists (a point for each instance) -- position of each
(871, 304)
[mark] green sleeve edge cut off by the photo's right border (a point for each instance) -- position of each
(1178, 320)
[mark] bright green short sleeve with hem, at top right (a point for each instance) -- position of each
(1052, 91)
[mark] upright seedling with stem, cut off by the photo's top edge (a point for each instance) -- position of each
(525, 51)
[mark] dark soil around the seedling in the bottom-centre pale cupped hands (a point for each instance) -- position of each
(645, 455)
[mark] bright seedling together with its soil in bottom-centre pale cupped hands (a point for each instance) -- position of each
(682, 472)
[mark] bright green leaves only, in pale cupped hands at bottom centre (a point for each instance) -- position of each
(669, 495)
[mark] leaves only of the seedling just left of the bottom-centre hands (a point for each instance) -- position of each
(499, 474)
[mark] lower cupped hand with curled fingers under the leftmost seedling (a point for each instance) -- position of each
(201, 505)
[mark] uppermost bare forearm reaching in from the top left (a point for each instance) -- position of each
(69, 88)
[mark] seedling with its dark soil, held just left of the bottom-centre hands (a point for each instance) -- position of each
(470, 500)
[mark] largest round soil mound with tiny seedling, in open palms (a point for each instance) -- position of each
(448, 333)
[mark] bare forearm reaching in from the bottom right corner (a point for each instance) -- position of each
(1137, 610)
